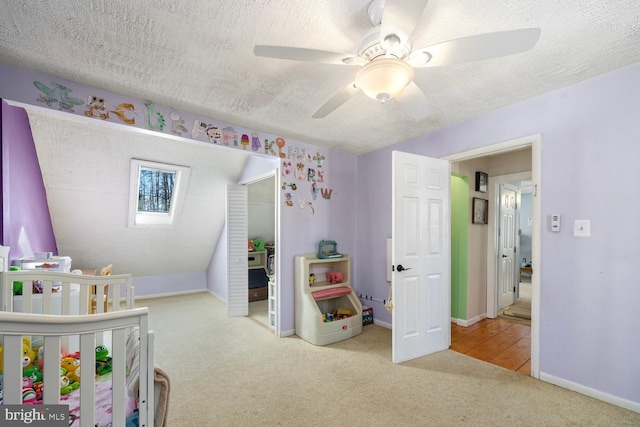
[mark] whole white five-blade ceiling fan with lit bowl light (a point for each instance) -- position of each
(387, 59)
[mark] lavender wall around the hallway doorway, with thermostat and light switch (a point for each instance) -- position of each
(590, 156)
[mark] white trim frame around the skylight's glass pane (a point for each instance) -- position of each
(157, 219)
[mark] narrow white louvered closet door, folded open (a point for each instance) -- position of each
(237, 236)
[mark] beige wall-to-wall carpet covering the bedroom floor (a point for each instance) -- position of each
(235, 372)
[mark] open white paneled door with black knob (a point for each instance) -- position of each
(421, 256)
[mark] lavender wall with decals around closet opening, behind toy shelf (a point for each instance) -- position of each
(300, 230)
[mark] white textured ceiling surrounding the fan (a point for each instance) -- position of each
(198, 56)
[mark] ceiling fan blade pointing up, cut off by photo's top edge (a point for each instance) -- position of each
(400, 17)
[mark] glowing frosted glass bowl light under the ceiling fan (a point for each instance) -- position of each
(384, 78)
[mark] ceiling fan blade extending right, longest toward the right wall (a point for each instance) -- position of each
(476, 48)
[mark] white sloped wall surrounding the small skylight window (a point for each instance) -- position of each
(86, 170)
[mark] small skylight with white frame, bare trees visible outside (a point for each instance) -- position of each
(156, 193)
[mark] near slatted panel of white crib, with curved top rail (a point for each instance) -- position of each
(54, 330)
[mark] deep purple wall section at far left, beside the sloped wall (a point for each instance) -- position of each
(25, 216)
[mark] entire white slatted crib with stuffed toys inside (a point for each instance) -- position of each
(52, 320)
